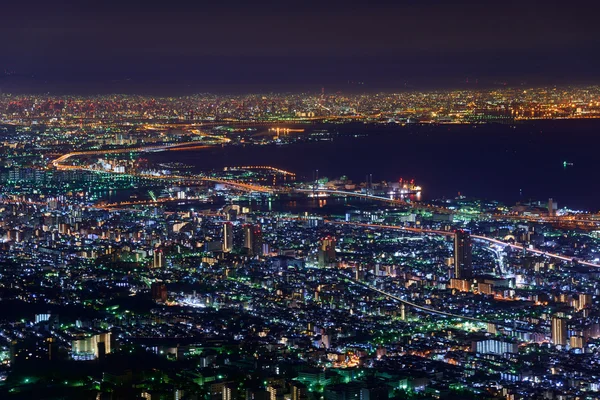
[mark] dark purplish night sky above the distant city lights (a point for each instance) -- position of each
(176, 46)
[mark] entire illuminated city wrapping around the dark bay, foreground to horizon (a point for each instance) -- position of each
(126, 278)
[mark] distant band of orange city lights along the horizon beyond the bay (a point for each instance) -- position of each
(467, 105)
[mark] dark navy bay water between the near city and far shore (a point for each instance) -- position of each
(509, 163)
